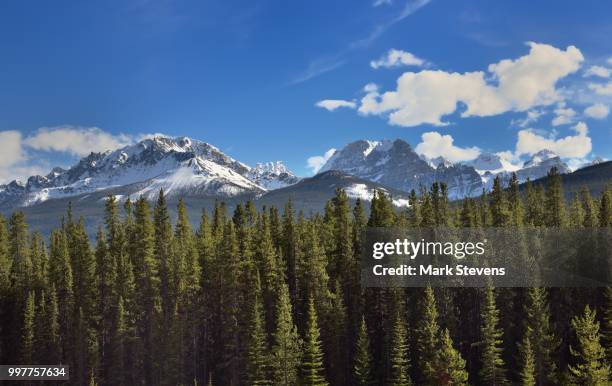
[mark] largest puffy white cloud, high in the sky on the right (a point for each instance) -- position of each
(509, 85)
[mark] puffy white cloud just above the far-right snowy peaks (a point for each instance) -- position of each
(572, 146)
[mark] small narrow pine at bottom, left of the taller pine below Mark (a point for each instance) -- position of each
(399, 354)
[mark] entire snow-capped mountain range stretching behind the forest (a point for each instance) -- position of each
(201, 173)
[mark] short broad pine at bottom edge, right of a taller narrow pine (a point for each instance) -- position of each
(450, 364)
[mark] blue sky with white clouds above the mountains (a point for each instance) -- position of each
(246, 76)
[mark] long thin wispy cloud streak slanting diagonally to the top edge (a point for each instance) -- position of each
(328, 63)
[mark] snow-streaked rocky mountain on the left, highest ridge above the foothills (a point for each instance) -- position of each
(178, 165)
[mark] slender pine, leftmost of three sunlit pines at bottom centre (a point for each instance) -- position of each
(258, 361)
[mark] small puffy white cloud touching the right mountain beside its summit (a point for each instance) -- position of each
(433, 145)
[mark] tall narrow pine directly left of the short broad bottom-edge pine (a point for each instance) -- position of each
(427, 332)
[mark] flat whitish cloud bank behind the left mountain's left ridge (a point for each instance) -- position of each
(76, 140)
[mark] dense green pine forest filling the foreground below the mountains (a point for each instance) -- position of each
(260, 297)
